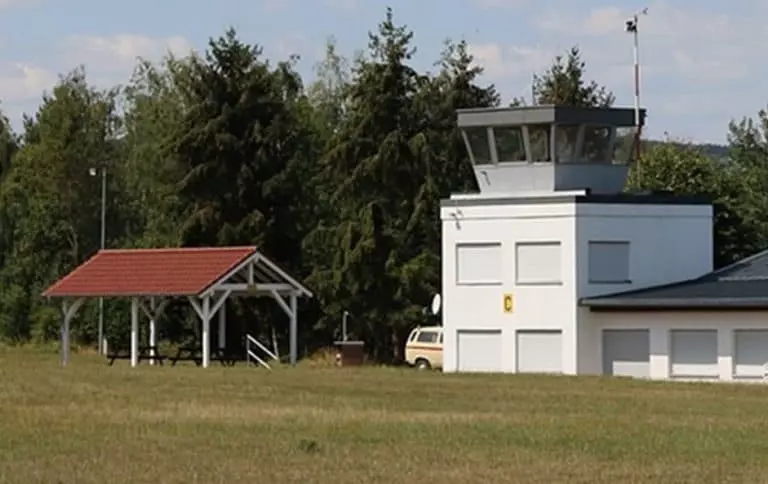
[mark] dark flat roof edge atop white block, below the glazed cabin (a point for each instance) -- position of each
(617, 199)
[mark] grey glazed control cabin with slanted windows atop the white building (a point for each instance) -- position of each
(546, 148)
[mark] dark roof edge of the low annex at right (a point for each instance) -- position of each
(676, 303)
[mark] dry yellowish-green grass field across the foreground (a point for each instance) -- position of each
(92, 423)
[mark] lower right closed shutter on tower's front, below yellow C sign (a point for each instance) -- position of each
(539, 352)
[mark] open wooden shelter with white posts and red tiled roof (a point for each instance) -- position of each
(206, 277)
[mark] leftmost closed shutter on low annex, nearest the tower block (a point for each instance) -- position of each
(627, 353)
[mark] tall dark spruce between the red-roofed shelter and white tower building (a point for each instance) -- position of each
(378, 174)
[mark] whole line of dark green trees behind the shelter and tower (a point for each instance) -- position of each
(338, 180)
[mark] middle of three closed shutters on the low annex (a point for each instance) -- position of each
(694, 354)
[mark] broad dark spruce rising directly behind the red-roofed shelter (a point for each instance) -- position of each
(247, 157)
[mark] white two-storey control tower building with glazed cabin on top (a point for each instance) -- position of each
(551, 226)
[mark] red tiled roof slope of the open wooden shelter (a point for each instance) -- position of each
(150, 272)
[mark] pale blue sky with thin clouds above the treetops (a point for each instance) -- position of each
(700, 61)
